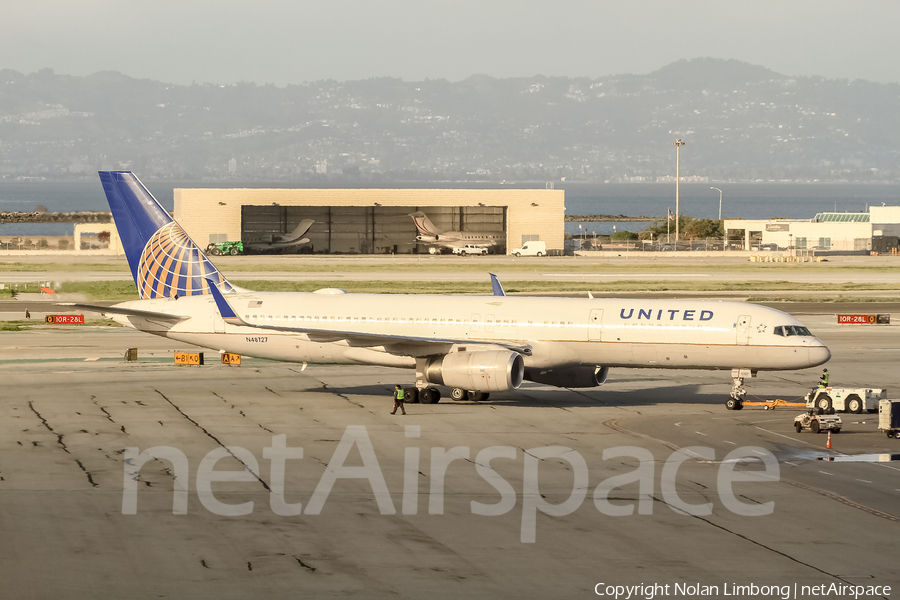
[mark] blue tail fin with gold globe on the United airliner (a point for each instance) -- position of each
(164, 261)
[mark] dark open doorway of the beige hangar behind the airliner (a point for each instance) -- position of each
(366, 229)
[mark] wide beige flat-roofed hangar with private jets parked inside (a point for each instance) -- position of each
(370, 221)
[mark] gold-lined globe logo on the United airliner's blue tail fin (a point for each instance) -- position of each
(171, 264)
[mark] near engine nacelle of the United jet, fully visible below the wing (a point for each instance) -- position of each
(483, 371)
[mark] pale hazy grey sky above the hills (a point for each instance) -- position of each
(281, 41)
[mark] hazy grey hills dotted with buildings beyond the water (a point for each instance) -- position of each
(740, 122)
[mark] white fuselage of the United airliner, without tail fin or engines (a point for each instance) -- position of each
(677, 334)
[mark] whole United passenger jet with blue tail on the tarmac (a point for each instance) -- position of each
(473, 344)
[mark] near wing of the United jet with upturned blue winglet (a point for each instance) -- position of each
(395, 344)
